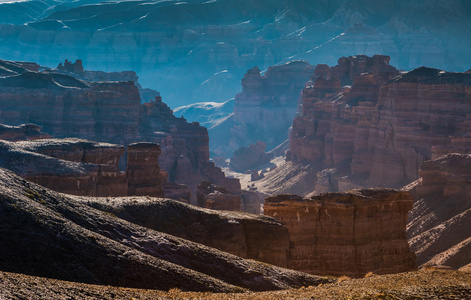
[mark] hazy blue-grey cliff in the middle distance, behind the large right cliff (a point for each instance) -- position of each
(265, 108)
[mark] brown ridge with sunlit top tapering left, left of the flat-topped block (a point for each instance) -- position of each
(245, 235)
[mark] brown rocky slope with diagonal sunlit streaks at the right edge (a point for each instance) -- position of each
(439, 227)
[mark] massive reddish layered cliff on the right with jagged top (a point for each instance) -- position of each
(379, 131)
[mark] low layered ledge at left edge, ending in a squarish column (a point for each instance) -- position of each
(81, 167)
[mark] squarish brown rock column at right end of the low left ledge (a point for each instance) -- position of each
(143, 171)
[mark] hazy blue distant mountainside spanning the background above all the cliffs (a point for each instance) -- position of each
(208, 45)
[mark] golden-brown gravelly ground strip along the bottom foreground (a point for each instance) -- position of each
(424, 284)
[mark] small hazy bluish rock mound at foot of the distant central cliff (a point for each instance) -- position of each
(249, 158)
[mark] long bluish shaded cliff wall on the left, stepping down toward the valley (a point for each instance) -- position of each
(108, 111)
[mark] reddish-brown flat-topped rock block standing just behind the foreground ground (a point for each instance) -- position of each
(349, 233)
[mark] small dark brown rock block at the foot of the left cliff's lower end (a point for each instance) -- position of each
(214, 197)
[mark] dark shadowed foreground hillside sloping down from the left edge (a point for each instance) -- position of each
(52, 235)
